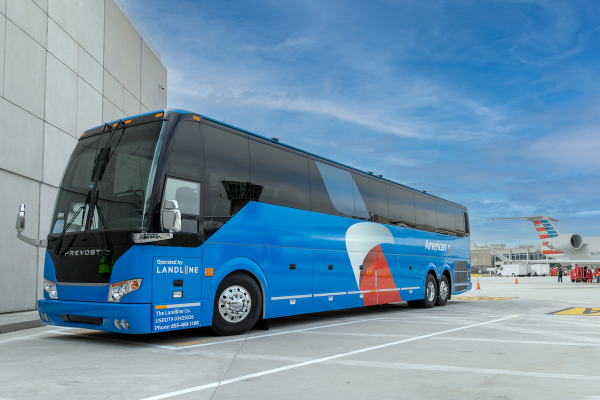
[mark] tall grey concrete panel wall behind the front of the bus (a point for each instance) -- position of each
(65, 66)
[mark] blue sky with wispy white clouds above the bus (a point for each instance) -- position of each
(491, 104)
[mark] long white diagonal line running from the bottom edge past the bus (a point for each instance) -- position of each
(315, 361)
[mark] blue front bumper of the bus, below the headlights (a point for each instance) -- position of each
(97, 316)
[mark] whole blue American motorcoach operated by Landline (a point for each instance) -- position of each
(172, 220)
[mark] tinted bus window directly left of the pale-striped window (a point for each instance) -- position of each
(282, 175)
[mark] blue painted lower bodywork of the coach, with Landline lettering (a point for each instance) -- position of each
(288, 251)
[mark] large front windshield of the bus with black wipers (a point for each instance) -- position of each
(124, 186)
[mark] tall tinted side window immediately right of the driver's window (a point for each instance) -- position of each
(227, 162)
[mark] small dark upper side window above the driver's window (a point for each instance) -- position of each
(185, 157)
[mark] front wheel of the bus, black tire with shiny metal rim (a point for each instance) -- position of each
(236, 288)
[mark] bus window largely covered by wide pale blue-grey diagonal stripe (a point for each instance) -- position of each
(331, 189)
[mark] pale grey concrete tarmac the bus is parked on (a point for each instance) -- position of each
(538, 339)
